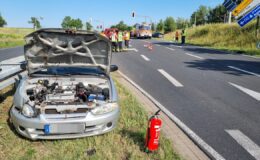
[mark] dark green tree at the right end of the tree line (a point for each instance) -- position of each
(217, 14)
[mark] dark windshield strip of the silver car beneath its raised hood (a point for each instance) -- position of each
(71, 71)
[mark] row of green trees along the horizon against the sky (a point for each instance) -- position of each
(201, 16)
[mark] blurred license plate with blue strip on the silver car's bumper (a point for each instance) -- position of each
(64, 128)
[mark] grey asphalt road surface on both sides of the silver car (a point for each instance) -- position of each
(214, 93)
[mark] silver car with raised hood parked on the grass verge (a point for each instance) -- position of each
(68, 92)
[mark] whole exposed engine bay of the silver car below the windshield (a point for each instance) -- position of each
(53, 92)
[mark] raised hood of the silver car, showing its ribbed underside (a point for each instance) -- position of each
(58, 47)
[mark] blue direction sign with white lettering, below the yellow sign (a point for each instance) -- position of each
(249, 16)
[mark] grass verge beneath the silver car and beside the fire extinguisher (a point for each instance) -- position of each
(125, 142)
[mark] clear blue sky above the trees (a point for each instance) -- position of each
(17, 13)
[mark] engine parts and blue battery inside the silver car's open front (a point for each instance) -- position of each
(55, 93)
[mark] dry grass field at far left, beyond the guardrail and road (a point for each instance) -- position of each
(12, 37)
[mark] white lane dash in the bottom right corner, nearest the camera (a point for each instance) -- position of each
(246, 143)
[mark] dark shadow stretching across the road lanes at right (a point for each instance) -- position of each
(222, 65)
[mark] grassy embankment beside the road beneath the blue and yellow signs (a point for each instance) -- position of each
(224, 37)
